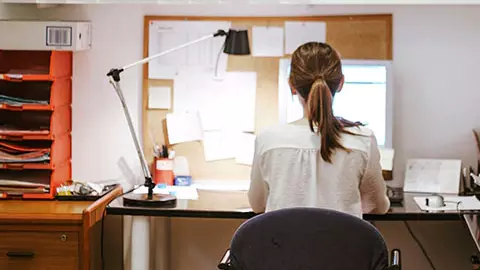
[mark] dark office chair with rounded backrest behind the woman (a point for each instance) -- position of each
(307, 239)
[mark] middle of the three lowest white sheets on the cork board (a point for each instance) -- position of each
(219, 145)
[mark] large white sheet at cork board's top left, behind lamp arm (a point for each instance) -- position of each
(166, 35)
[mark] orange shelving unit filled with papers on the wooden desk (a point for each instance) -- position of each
(35, 121)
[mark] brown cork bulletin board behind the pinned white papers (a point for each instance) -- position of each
(354, 36)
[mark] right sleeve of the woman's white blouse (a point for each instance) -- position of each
(372, 186)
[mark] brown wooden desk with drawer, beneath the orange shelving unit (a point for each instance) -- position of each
(50, 234)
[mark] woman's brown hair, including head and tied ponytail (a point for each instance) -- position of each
(316, 74)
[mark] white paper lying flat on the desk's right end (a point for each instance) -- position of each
(452, 203)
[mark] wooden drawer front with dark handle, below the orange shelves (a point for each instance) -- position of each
(39, 250)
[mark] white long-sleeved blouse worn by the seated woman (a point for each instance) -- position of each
(288, 171)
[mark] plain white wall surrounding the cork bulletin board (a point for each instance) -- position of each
(436, 95)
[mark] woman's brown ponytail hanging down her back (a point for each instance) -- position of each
(320, 115)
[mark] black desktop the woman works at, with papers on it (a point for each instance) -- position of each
(234, 204)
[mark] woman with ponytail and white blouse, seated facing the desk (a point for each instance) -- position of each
(319, 161)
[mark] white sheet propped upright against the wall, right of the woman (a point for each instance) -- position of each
(433, 175)
